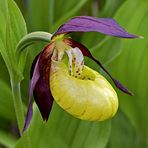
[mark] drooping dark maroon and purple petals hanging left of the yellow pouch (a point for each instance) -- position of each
(39, 85)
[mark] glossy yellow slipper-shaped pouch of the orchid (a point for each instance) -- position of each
(89, 98)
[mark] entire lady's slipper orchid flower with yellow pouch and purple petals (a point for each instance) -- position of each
(58, 73)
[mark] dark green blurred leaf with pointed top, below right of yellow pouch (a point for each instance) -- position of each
(123, 133)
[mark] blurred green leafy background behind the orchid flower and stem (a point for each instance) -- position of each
(127, 60)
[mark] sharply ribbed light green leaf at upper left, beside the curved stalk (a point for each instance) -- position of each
(12, 29)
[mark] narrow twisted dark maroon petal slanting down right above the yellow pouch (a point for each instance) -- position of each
(87, 53)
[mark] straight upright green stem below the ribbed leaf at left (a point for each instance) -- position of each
(18, 104)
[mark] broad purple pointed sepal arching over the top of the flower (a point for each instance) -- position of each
(107, 26)
